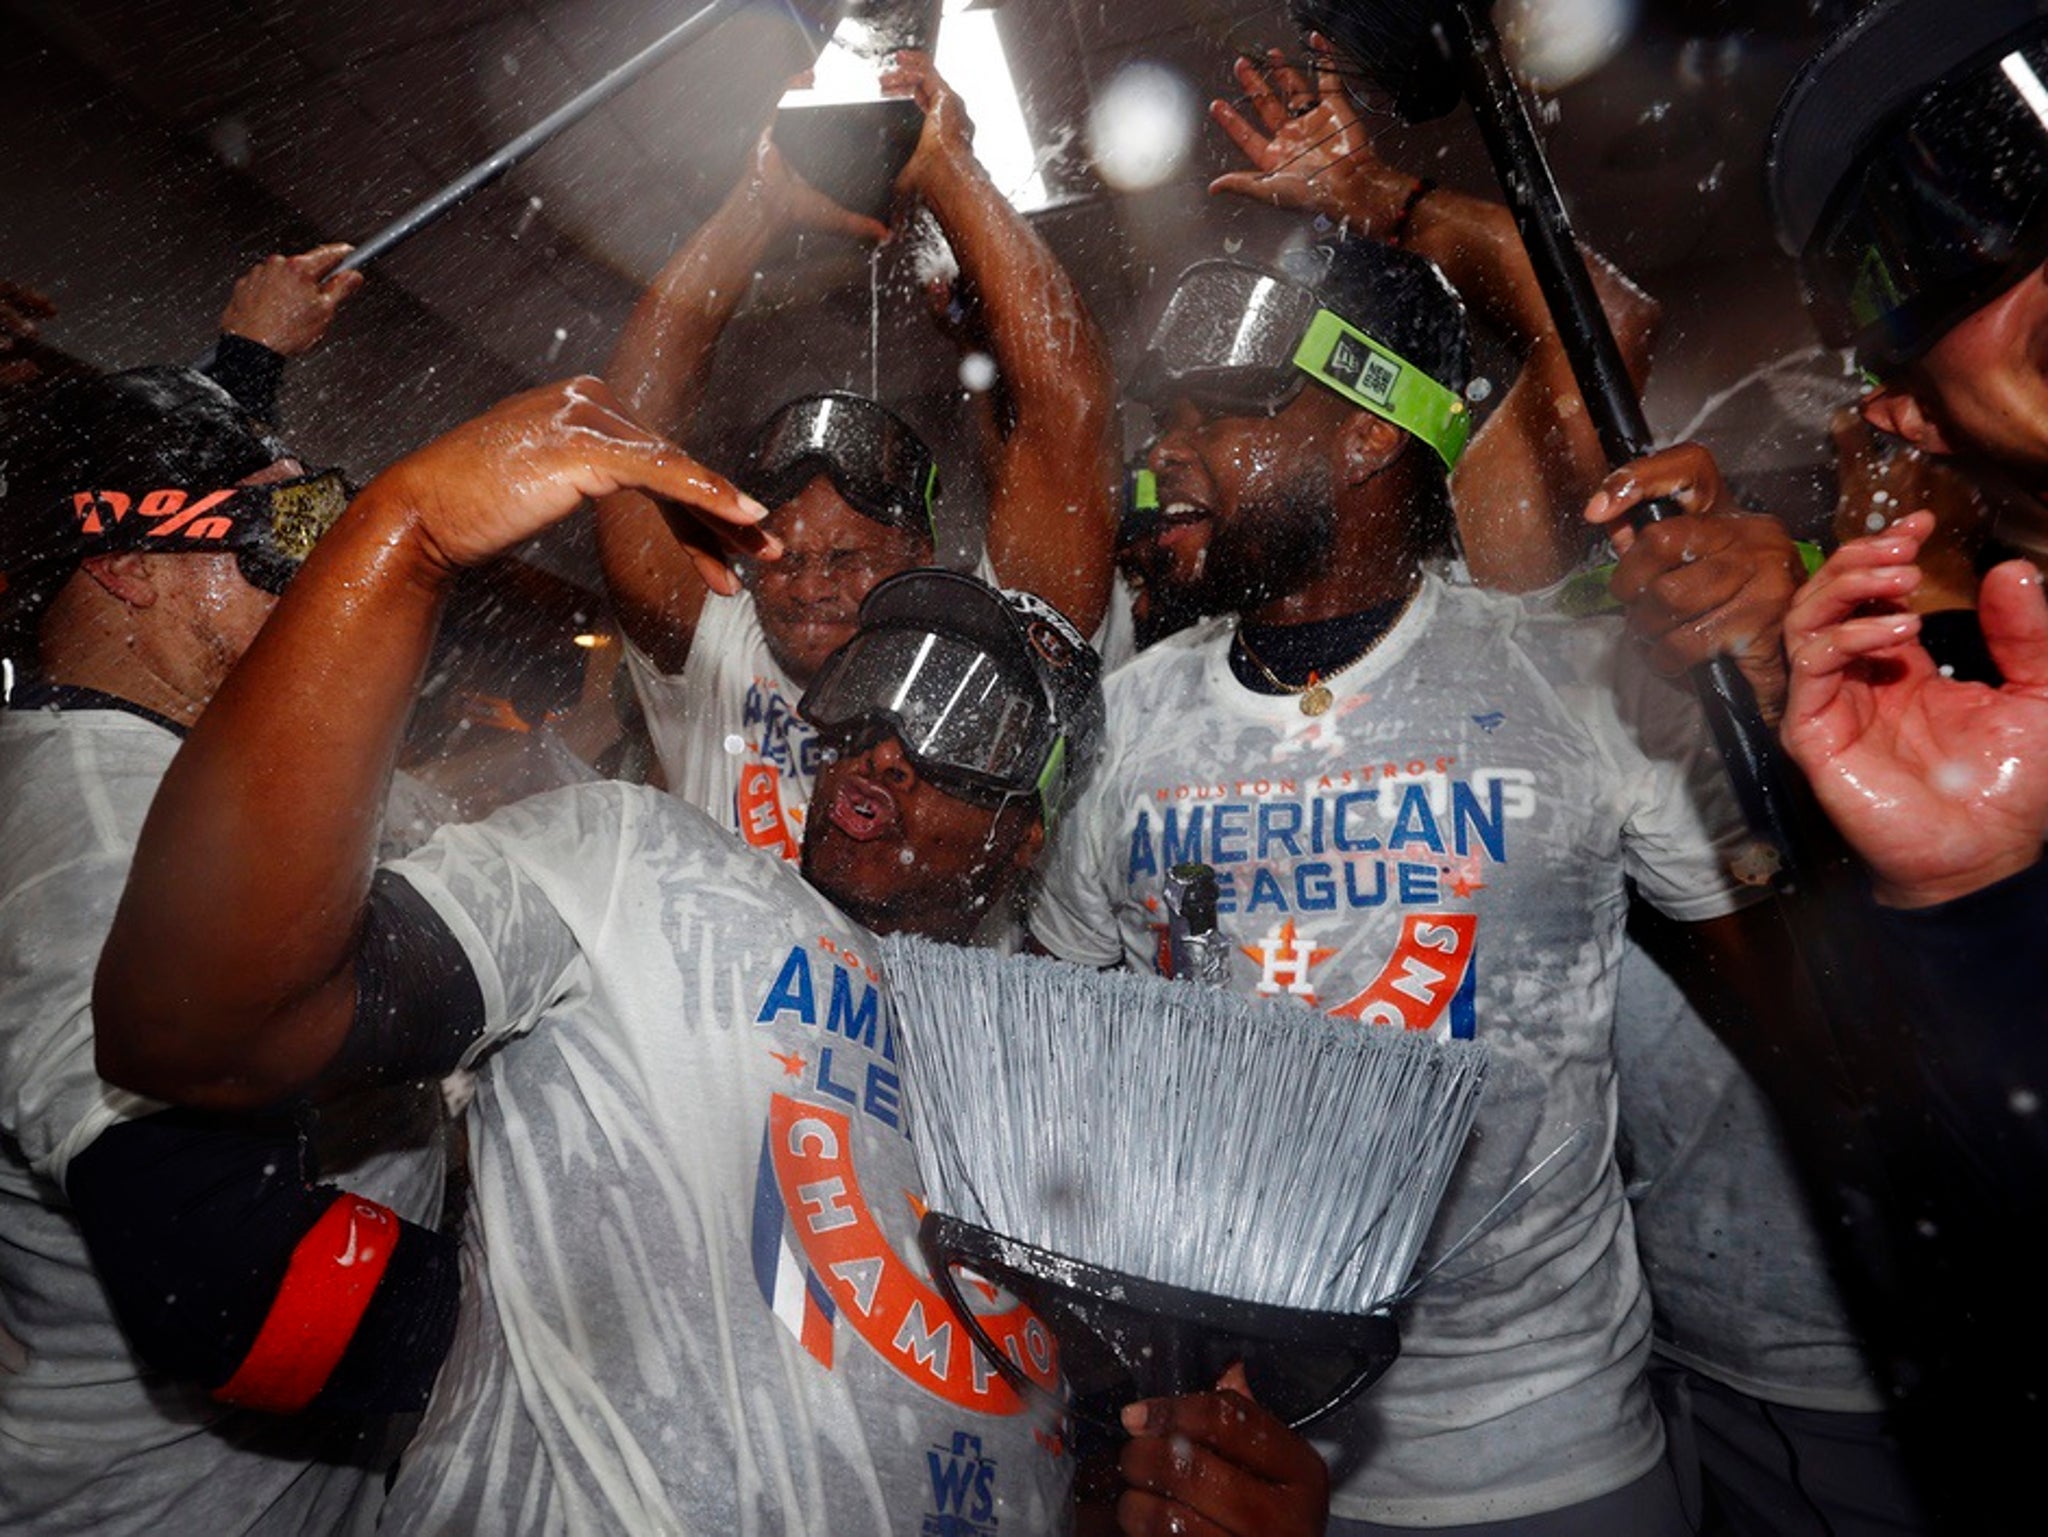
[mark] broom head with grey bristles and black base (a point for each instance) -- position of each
(1170, 1177)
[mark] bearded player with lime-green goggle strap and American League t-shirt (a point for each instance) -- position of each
(1424, 806)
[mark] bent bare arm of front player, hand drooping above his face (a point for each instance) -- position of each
(228, 981)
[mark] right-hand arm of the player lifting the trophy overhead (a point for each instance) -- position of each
(1054, 476)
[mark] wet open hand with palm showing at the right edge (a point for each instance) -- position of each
(1940, 786)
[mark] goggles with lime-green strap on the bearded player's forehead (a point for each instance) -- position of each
(1244, 343)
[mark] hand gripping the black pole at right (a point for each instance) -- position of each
(1715, 581)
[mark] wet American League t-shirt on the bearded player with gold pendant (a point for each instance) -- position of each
(1445, 849)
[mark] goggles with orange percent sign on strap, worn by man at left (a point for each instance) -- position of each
(271, 530)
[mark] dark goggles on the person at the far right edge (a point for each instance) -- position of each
(1940, 216)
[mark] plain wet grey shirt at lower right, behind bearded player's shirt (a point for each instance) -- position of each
(1727, 1241)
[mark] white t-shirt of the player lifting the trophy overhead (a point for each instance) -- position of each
(728, 733)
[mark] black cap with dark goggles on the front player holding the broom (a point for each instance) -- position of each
(986, 688)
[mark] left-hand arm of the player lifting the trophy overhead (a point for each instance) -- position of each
(660, 372)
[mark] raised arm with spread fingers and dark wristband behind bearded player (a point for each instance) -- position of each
(1539, 458)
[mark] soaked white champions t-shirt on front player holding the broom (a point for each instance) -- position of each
(693, 1298)
